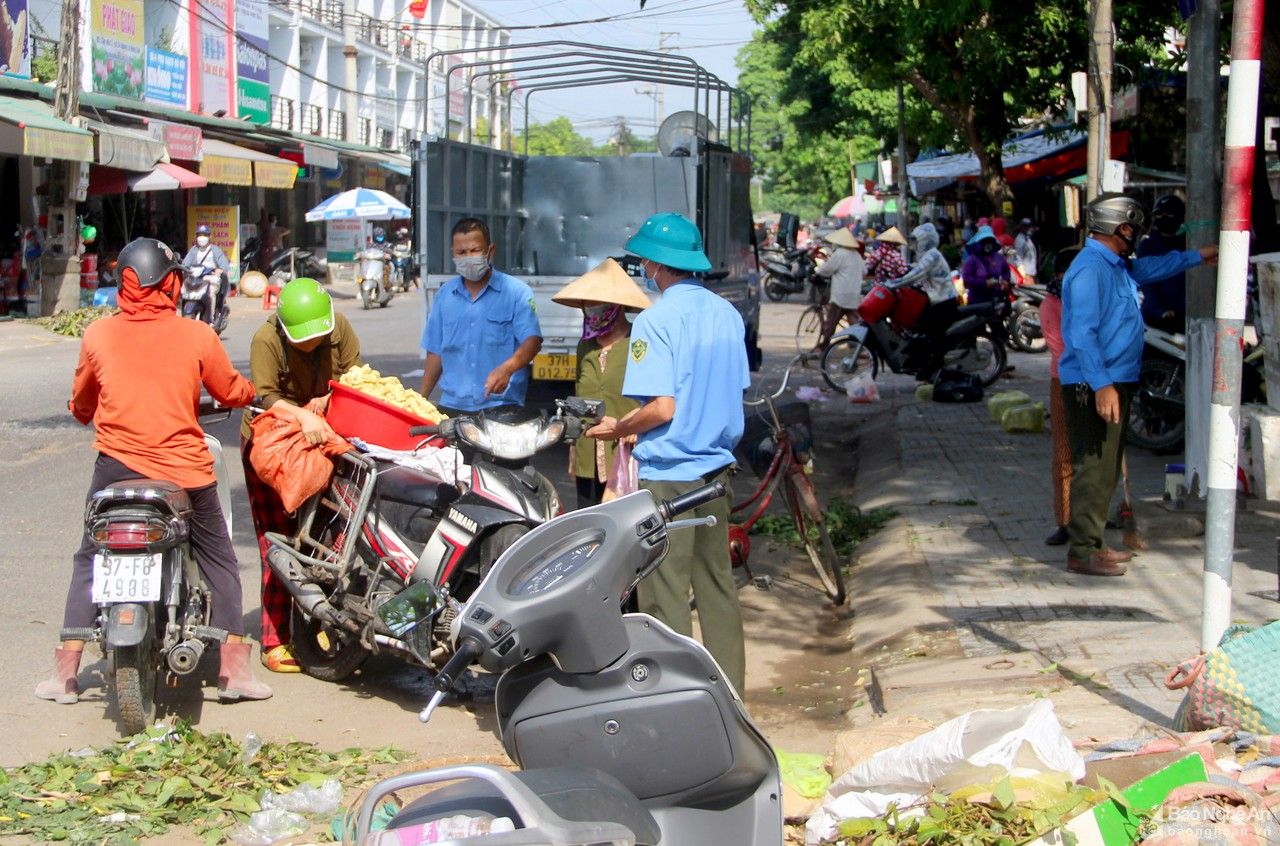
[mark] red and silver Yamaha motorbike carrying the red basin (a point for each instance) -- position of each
(381, 528)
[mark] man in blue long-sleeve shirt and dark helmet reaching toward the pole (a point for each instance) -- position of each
(1103, 335)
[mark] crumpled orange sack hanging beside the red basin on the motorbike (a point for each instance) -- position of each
(284, 459)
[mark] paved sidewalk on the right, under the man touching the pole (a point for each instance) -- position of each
(961, 605)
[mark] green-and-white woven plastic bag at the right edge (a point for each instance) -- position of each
(1236, 685)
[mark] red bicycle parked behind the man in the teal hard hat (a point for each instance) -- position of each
(781, 458)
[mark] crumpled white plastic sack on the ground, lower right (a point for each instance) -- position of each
(975, 748)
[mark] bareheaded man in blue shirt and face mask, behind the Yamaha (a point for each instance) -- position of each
(482, 332)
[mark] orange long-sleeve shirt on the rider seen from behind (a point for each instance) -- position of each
(139, 383)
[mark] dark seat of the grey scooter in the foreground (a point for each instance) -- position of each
(577, 795)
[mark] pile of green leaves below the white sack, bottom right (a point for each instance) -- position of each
(1004, 816)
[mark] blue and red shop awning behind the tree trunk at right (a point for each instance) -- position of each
(1037, 156)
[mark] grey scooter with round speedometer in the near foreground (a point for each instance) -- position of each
(625, 731)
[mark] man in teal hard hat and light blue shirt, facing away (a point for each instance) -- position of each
(688, 367)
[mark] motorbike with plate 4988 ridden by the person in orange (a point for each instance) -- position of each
(153, 601)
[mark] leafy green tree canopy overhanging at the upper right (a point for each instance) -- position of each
(975, 71)
